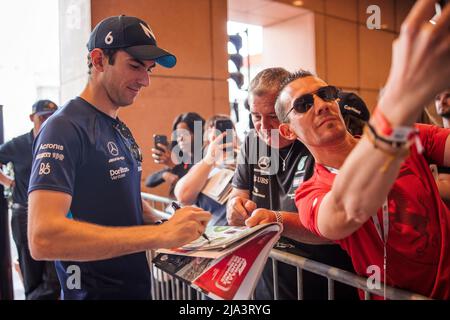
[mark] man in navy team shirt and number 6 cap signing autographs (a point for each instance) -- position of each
(85, 207)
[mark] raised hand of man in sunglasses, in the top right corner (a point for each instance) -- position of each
(420, 63)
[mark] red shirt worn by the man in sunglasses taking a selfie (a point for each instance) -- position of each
(418, 240)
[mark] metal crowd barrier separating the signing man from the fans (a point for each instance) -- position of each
(166, 287)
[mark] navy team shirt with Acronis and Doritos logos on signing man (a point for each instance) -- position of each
(79, 152)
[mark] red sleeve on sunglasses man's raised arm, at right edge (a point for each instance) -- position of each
(433, 139)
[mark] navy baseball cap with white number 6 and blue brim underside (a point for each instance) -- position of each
(131, 34)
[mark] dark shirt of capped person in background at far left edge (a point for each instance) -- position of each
(18, 151)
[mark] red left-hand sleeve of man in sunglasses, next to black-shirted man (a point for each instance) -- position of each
(308, 198)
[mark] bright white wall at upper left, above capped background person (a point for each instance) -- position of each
(29, 59)
